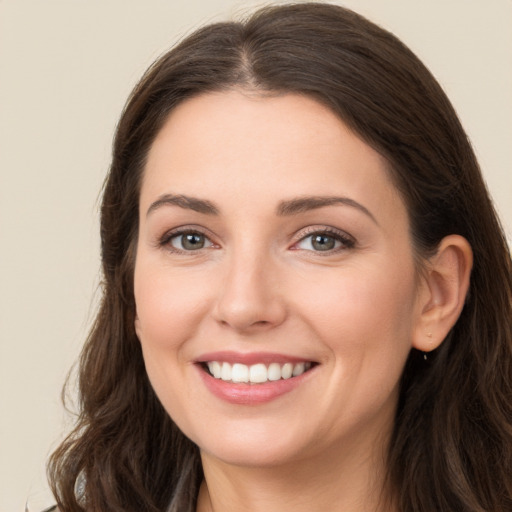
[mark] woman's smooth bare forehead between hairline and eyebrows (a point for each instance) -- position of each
(219, 145)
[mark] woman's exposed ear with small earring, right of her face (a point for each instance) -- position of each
(443, 289)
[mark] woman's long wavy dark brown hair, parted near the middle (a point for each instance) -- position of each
(452, 443)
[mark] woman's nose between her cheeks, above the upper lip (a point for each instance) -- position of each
(250, 297)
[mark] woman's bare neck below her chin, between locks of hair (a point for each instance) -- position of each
(337, 482)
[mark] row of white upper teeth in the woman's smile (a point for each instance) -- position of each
(256, 373)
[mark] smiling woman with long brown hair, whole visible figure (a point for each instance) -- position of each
(307, 293)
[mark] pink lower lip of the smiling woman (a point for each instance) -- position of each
(251, 394)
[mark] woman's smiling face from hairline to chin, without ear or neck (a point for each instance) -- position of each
(273, 247)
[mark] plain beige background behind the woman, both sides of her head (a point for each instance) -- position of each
(66, 68)
